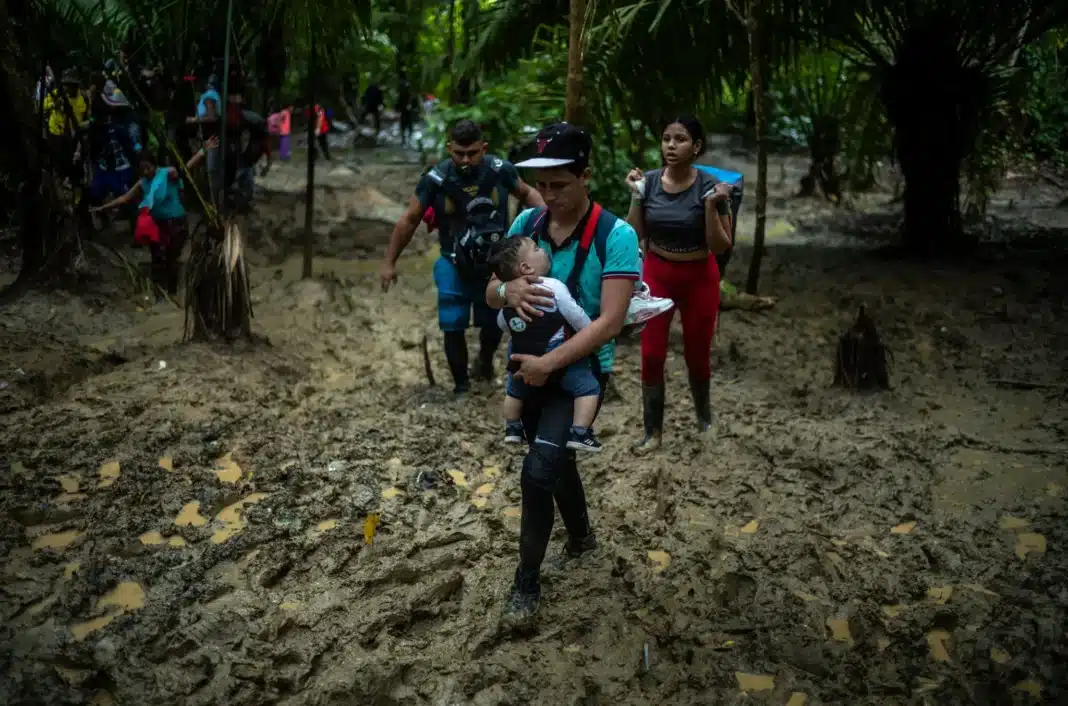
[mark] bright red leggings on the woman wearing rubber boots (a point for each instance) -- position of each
(695, 288)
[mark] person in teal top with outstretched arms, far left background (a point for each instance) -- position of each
(161, 191)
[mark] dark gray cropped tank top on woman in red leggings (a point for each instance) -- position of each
(676, 223)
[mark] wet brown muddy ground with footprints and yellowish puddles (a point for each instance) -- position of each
(186, 524)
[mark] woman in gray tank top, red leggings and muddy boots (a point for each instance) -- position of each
(683, 223)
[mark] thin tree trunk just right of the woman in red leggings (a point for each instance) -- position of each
(758, 66)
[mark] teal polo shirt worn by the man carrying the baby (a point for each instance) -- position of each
(621, 262)
